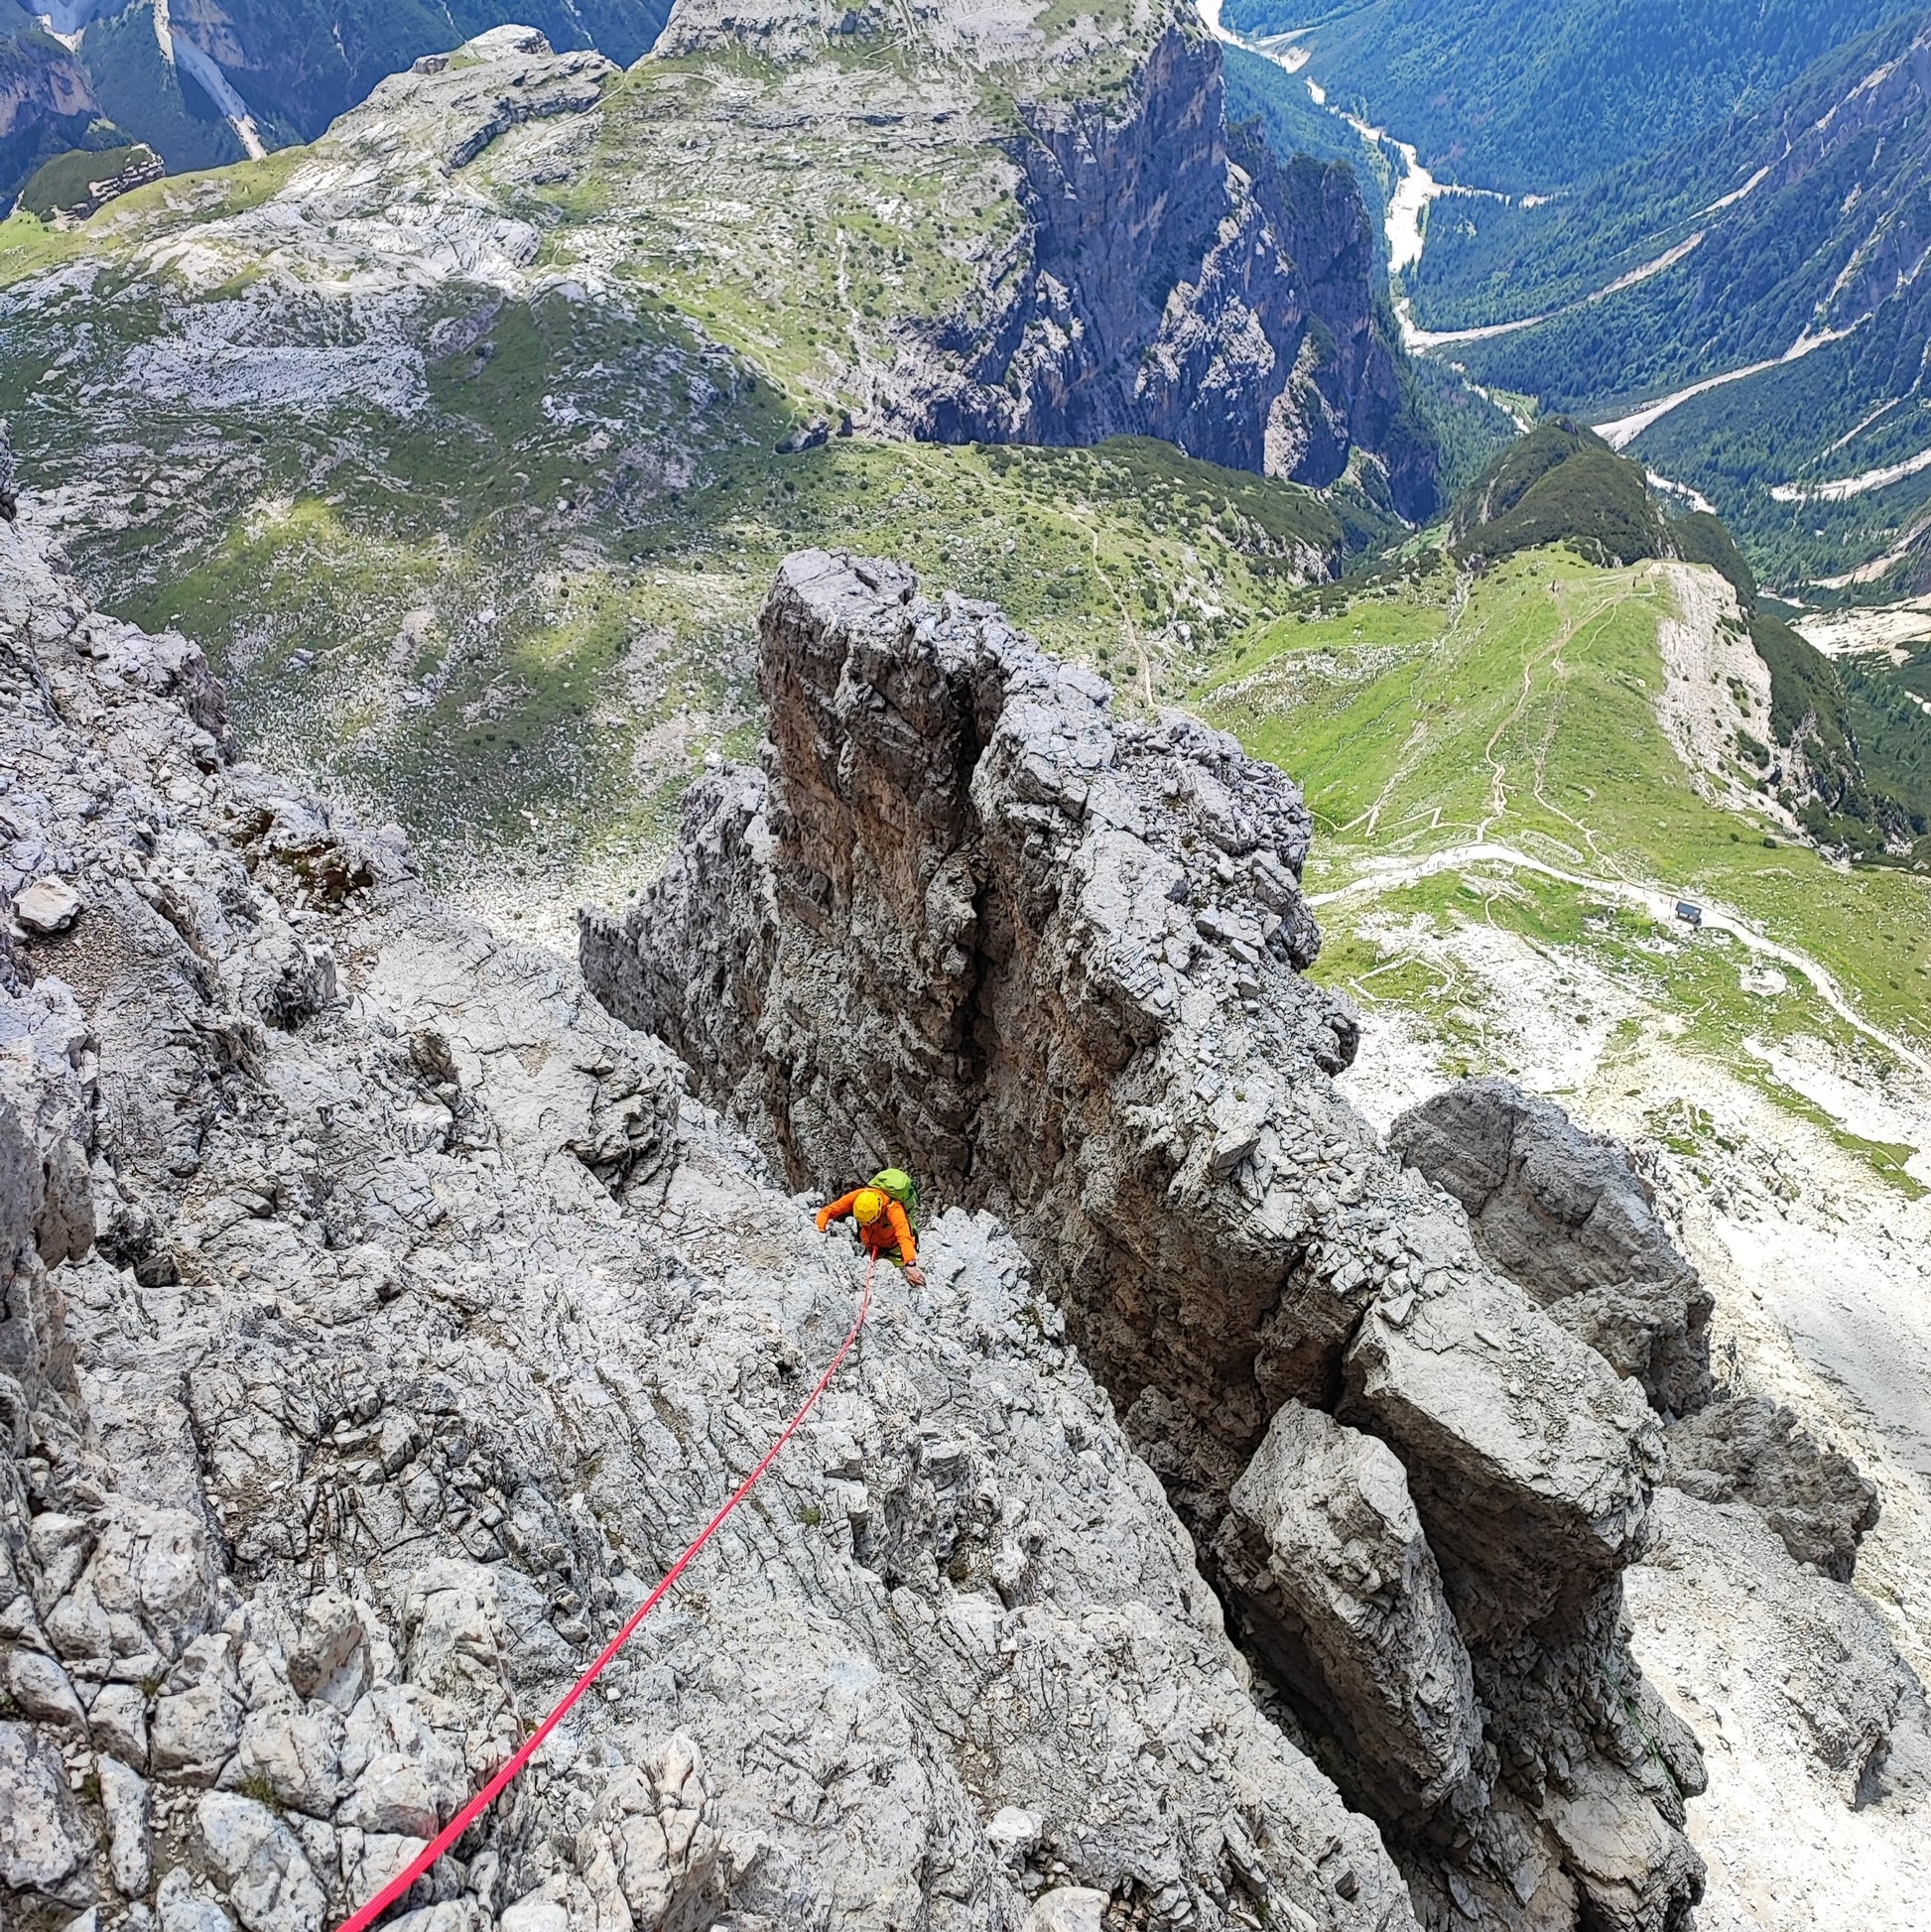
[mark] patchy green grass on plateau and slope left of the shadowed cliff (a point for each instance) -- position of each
(531, 602)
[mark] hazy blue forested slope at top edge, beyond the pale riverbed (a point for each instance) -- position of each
(1540, 98)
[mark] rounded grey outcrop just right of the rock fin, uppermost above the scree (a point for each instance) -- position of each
(1569, 1218)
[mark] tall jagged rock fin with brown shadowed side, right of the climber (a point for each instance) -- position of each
(967, 921)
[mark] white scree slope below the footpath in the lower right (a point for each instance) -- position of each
(1804, 1691)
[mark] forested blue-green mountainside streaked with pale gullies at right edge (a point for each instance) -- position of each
(1783, 256)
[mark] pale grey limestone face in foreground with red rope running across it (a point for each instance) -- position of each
(422, 1322)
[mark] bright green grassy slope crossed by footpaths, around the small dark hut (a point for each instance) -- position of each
(1397, 714)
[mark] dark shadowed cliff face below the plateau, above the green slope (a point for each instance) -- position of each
(1182, 283)
